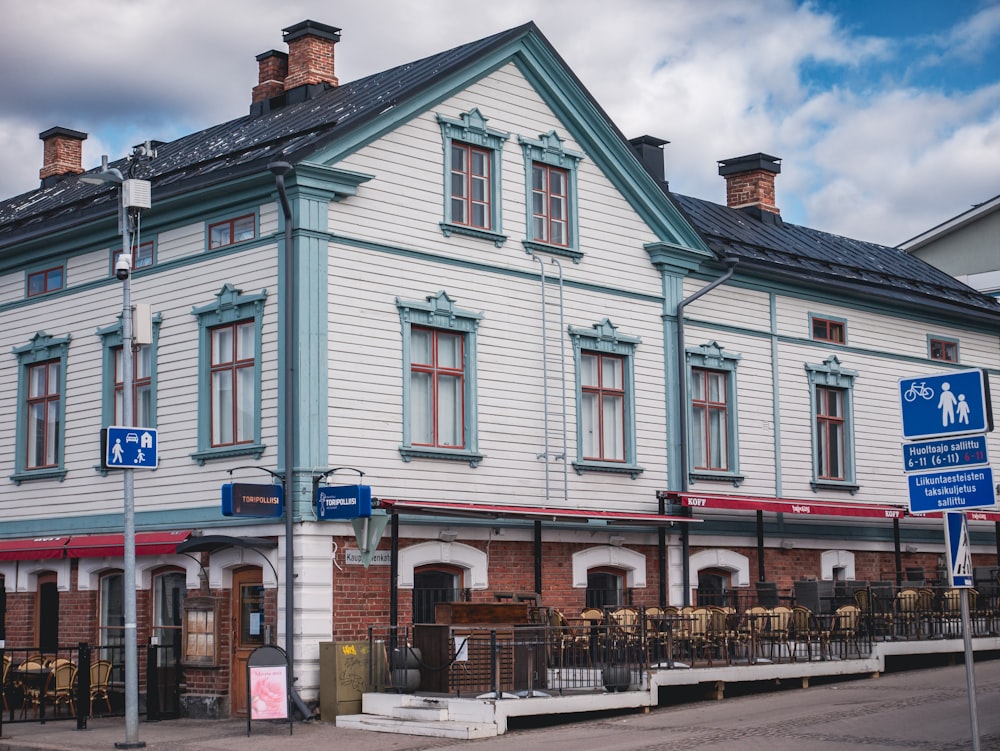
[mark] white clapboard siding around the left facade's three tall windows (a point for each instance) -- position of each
(178, 482)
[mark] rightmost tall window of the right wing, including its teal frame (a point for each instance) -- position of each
(832, 389)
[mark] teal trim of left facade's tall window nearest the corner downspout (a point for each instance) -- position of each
(231, 306)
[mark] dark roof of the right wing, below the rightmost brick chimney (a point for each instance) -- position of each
(769, 247)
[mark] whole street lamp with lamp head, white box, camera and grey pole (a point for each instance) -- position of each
(135, 195)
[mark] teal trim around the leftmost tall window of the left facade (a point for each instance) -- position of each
(41, 348)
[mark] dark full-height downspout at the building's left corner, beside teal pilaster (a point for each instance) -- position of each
(279, 170)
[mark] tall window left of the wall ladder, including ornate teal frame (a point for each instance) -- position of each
(439, 388)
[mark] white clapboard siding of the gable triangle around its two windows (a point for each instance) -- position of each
(403, 204)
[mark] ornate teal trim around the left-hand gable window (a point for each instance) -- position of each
(470, 129)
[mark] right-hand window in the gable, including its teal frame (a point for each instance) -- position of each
(551, 196)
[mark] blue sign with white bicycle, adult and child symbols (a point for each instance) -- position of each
(955, 403)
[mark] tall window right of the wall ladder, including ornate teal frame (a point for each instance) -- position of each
(605, 395)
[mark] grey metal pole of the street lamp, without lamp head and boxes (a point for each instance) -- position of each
(128, 418)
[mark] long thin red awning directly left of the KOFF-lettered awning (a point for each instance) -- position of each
(493, 510)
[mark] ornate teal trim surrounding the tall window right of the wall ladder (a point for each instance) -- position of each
(603, 338)
